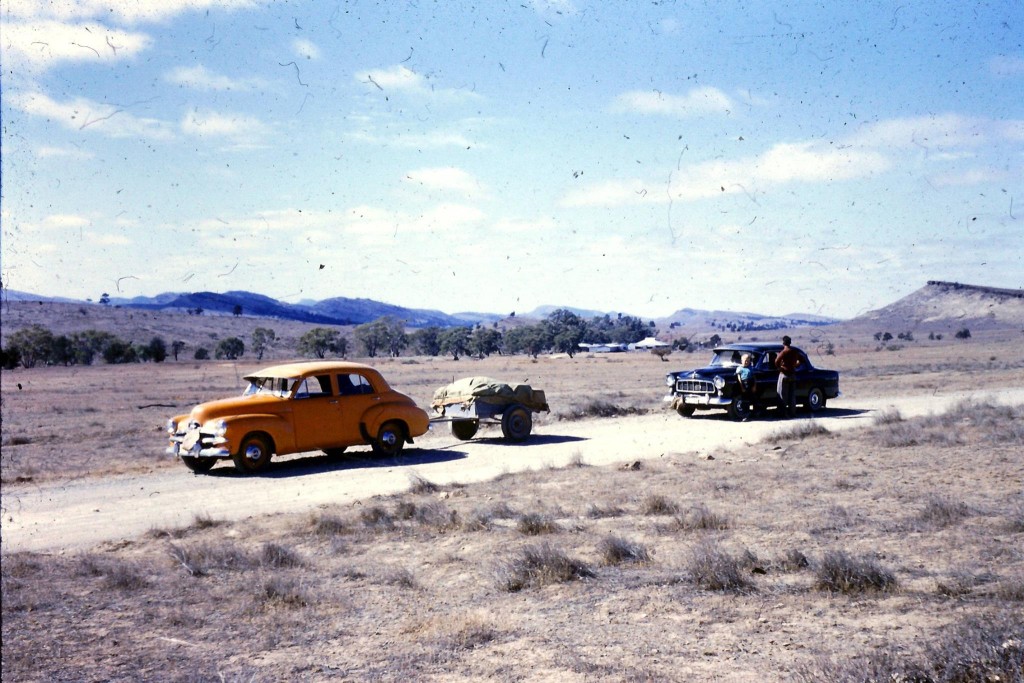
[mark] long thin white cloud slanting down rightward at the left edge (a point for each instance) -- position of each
(82, 114)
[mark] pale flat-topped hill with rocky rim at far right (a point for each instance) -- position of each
(941, 305)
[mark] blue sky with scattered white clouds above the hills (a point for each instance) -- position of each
(821, 158)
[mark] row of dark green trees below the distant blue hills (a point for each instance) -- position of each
(562, 332)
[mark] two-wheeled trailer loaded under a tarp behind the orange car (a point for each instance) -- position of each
(467, 403)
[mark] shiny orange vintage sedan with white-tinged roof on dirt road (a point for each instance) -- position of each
(294, 408)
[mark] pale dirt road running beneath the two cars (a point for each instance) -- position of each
(84, 514)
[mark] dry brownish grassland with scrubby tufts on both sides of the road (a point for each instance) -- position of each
(879, 563)
